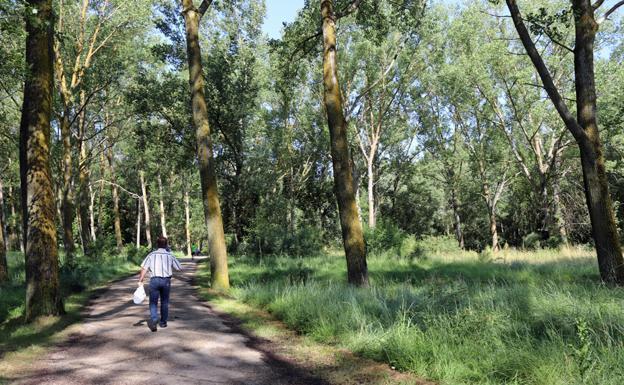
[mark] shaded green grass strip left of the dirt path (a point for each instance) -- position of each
(77, 284)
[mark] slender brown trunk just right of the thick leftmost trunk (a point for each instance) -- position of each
(67, 205)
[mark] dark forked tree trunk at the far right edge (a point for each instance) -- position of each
(584, 128)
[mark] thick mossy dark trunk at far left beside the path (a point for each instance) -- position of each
(42, 270)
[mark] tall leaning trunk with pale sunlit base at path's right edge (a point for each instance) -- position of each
(212, 211)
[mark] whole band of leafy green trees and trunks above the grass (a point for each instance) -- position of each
(487, 123)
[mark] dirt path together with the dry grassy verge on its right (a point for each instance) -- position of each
(113, 345)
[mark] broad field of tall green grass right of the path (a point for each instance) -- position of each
(510, 318)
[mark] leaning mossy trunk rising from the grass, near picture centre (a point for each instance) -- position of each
(352, 235)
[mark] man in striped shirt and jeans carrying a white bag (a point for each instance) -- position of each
(159, 263)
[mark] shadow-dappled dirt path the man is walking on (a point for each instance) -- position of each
(115, 346)
